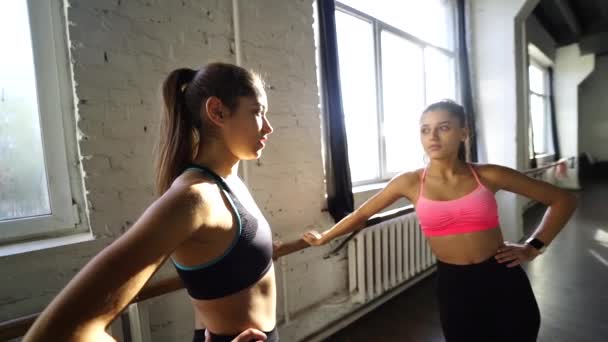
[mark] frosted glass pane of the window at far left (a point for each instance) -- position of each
(23, 182)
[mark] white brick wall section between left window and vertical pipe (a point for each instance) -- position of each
(121, 51)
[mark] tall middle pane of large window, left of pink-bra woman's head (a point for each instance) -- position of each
(403, 94)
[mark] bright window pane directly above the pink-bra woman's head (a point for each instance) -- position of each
(440, 83)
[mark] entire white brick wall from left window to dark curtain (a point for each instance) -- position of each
(121, 51)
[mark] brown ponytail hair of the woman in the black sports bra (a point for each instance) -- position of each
(184, 92)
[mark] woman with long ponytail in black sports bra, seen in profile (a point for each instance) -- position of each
(204, 220)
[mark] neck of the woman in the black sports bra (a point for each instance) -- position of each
(218, 158)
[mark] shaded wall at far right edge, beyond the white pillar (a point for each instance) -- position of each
(593, 115)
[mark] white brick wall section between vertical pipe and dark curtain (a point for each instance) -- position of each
(283, 50)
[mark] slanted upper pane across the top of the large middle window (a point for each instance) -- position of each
(429, 20)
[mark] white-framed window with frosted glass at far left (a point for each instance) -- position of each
(35, 191)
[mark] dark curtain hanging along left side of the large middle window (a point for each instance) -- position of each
(340, 200)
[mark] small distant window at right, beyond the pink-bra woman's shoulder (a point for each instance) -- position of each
(540, 120)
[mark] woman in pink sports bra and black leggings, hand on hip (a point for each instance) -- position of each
(483, 293)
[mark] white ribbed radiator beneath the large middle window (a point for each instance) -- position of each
(385, 256)
